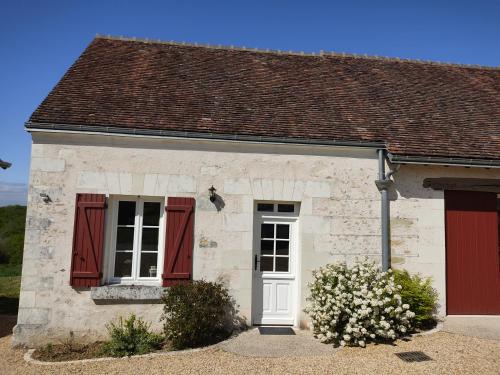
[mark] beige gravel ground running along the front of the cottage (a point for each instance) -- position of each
(452, 354)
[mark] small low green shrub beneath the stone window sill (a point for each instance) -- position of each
(131, 336)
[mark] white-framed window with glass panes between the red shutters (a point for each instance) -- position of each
(136, 241)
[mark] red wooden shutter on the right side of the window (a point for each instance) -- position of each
(178, 262)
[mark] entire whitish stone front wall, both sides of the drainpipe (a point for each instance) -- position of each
(339, 217)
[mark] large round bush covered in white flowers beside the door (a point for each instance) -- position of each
(351, 306)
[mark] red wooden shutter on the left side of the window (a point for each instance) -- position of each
(88, 239)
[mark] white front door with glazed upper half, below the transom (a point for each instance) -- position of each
(274, 274)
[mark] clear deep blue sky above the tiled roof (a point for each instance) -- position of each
(39, 40)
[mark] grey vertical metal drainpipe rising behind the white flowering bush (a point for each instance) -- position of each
(383, 183)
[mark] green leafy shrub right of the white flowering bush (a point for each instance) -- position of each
(420, 295)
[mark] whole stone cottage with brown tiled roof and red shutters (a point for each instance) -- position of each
(155, 163)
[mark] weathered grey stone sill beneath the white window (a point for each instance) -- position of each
(126, 294)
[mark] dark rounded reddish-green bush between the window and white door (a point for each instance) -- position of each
(198, 314)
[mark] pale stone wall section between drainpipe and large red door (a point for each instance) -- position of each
(418, 221)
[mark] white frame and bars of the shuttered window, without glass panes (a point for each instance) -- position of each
(111, 243)
